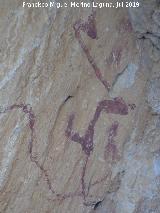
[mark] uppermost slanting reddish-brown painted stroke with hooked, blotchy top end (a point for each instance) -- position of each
(91, 31)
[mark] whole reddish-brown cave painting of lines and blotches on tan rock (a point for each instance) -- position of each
(114, 106)
